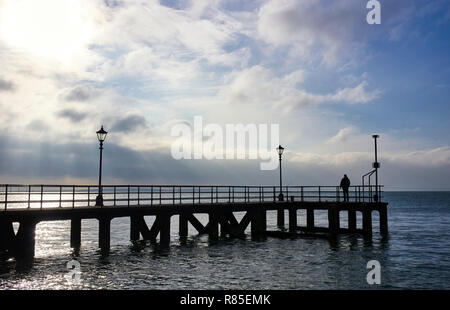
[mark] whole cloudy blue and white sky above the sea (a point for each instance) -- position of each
(314, 67)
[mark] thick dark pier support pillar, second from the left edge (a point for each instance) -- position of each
(25, 241)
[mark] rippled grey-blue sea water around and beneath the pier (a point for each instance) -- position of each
(416, 255)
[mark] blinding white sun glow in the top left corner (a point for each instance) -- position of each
(49, 29)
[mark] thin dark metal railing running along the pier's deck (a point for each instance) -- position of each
(17, 196)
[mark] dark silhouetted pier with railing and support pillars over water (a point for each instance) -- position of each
(28, 205)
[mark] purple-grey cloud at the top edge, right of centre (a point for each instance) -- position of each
(326, 31)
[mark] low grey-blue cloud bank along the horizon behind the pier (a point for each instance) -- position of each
(48, 162)
